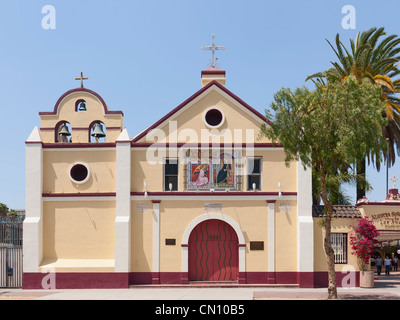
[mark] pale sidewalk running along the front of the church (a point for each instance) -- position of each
(386, 288)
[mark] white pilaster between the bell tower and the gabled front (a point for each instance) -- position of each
(123, 204)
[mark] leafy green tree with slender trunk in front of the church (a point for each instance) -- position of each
(328, 129)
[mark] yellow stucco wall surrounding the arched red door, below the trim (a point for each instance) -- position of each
(176, 215)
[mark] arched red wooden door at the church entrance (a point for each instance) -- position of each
(213, 252)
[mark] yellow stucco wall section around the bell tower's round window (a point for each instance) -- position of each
(57, 163)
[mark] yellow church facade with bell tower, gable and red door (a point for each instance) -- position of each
(196, 197)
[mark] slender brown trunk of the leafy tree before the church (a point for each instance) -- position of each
(332, 288)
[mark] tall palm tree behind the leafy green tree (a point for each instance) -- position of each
(374, 61)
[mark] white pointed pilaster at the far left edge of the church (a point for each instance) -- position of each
(33, 223)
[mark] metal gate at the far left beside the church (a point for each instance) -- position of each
(10, 253)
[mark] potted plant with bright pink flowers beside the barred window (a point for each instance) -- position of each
(362, 244)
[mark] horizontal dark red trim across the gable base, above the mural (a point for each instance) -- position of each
(205, 145)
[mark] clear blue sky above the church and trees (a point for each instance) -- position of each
(144, 57)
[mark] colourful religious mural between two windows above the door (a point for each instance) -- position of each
(212, 170)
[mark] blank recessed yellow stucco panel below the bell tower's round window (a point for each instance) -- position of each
(78, 230)
